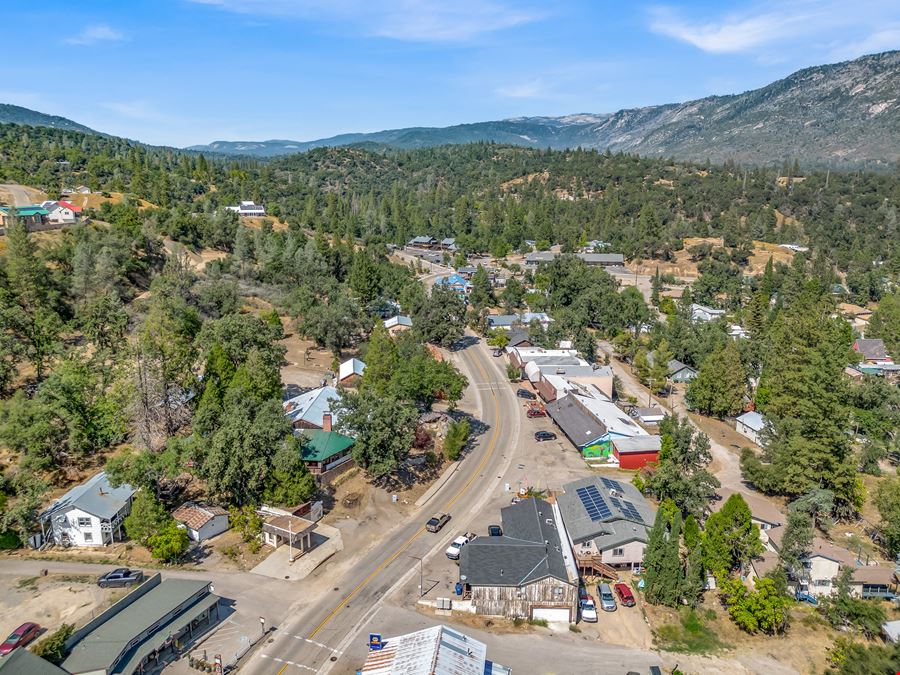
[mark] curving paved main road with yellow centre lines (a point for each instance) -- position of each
(320, 632)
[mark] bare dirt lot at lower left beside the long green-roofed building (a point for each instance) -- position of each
(52, 600)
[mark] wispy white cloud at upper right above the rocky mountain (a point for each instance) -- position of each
(849, 27)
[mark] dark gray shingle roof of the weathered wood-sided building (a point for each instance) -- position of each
(528, 551)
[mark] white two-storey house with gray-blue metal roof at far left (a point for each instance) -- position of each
(89, 514)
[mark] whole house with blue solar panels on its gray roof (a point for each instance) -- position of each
(608, 522)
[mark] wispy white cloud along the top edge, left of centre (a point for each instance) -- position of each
(407, 20)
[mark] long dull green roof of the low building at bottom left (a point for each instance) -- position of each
(99, 649)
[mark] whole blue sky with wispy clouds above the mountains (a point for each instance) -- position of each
(180, 72)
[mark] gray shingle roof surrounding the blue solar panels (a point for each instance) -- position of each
(617, 528)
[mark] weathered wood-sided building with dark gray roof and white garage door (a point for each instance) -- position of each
(527, 572)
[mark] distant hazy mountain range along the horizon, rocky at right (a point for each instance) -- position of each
(839, 114)
